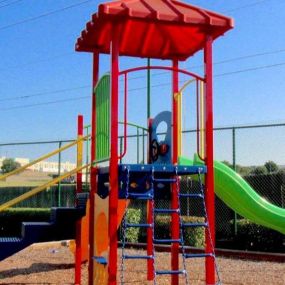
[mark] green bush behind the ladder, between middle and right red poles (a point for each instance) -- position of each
(192, 236)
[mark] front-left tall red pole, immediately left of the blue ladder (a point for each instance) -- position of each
(113, 197)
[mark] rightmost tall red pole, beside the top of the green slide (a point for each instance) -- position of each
(210, 195)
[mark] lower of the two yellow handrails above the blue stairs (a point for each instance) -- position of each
(40, 188)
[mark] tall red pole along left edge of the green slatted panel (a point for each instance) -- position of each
(93, 173)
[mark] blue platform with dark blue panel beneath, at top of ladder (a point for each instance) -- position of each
(139, 178)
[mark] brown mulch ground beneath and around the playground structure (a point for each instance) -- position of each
(52, 263)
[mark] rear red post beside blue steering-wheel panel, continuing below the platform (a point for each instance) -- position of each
(150, 245)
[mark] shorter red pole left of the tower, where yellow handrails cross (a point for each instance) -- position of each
(78, 253)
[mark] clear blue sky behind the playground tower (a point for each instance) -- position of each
(45, 84)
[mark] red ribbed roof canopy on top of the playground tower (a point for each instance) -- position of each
(163, 29)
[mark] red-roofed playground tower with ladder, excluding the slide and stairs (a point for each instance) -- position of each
(169, 30)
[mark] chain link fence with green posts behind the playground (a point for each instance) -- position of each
(246, 149)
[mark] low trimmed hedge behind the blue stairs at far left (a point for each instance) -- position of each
(11, 219)
